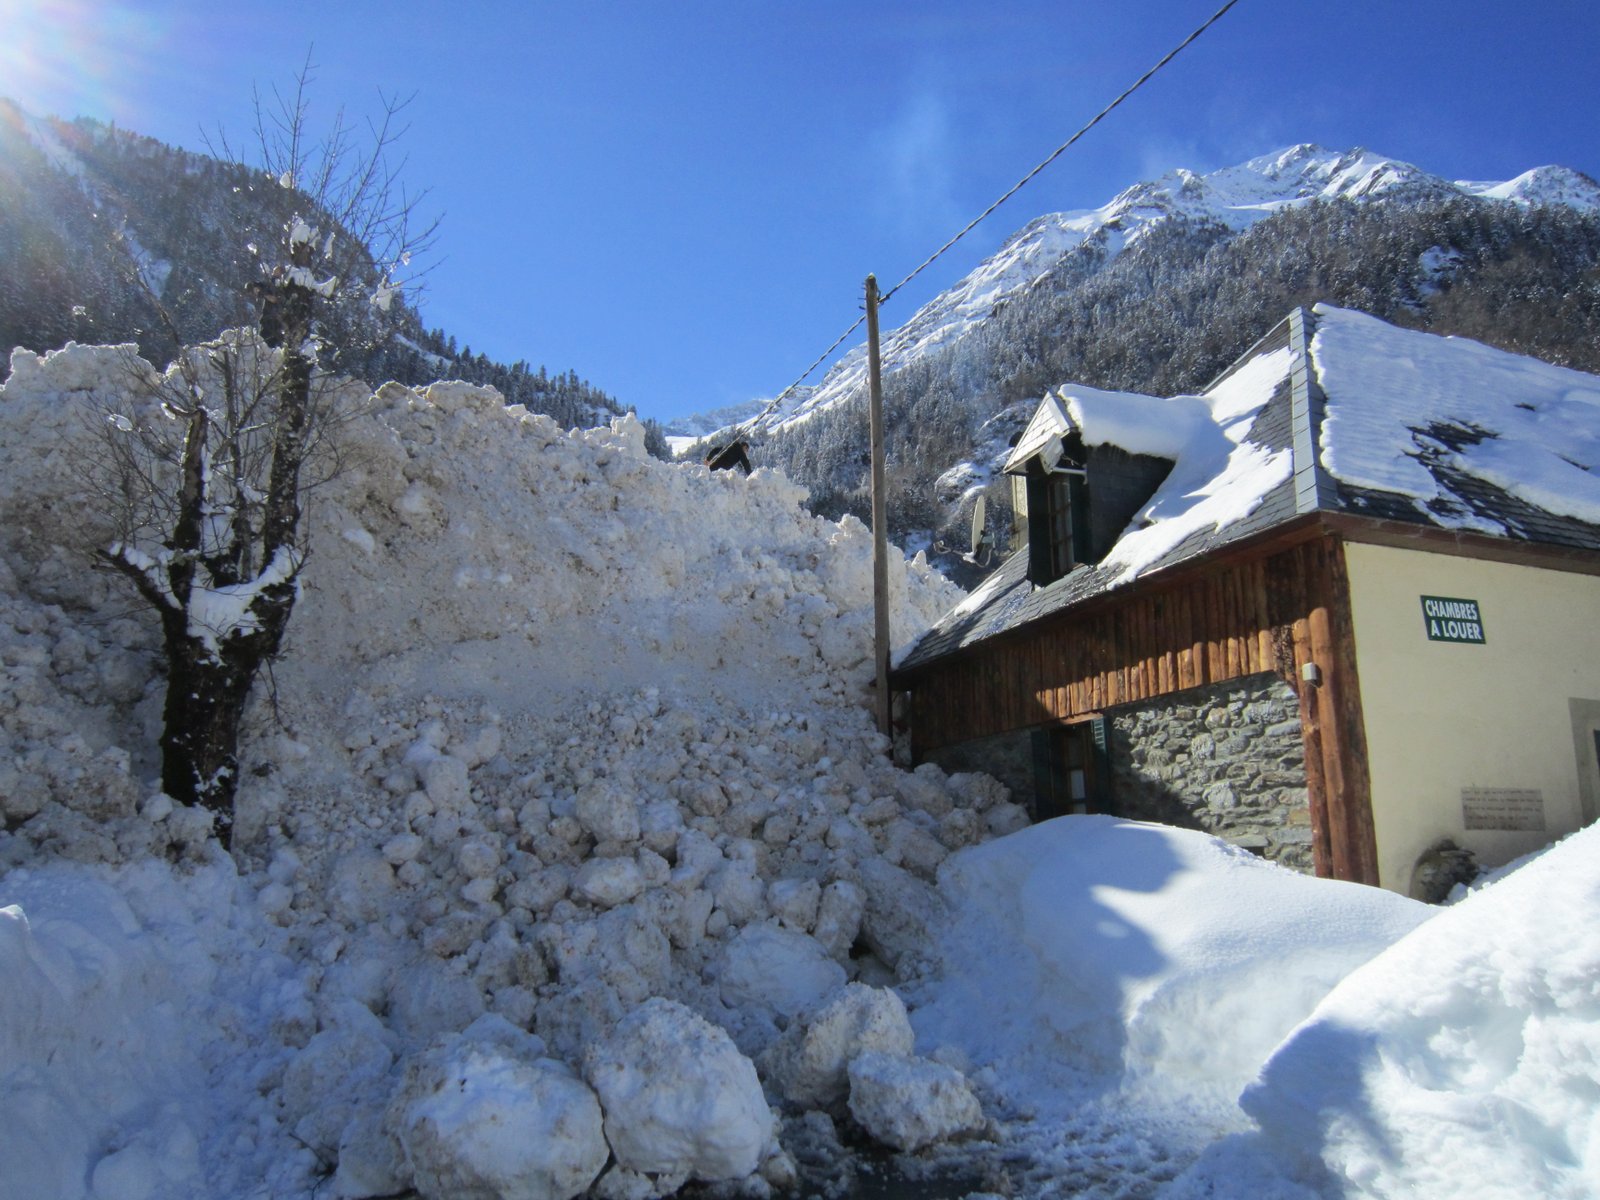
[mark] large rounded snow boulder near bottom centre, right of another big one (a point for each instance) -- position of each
(679, 1098)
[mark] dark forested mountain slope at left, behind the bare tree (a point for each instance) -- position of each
(100, 225)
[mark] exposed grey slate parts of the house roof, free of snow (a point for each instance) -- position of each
(1289, 422)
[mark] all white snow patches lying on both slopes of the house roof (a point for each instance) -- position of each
(1398, 402)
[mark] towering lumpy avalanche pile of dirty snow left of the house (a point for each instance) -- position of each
(561, 732)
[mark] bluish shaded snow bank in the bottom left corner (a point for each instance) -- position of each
(140, 1015)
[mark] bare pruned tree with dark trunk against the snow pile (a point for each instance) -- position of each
(207, 466)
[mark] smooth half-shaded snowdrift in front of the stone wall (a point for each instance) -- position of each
(1098, 945)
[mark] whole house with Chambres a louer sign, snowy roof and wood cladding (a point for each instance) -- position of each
(1340, 609)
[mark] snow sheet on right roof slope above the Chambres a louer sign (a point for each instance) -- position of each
(1526, 426)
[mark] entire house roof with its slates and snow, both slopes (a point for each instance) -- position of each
(1412, 426)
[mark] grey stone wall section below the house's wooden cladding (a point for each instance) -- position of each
(1226, 759)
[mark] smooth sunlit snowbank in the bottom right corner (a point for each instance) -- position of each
(1466, 1058)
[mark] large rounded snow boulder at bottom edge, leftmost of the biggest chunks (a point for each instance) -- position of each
(481, 1119)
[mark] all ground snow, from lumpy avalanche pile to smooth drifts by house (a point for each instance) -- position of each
(572, 746)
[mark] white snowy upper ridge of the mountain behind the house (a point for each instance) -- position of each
(1234, 198)
